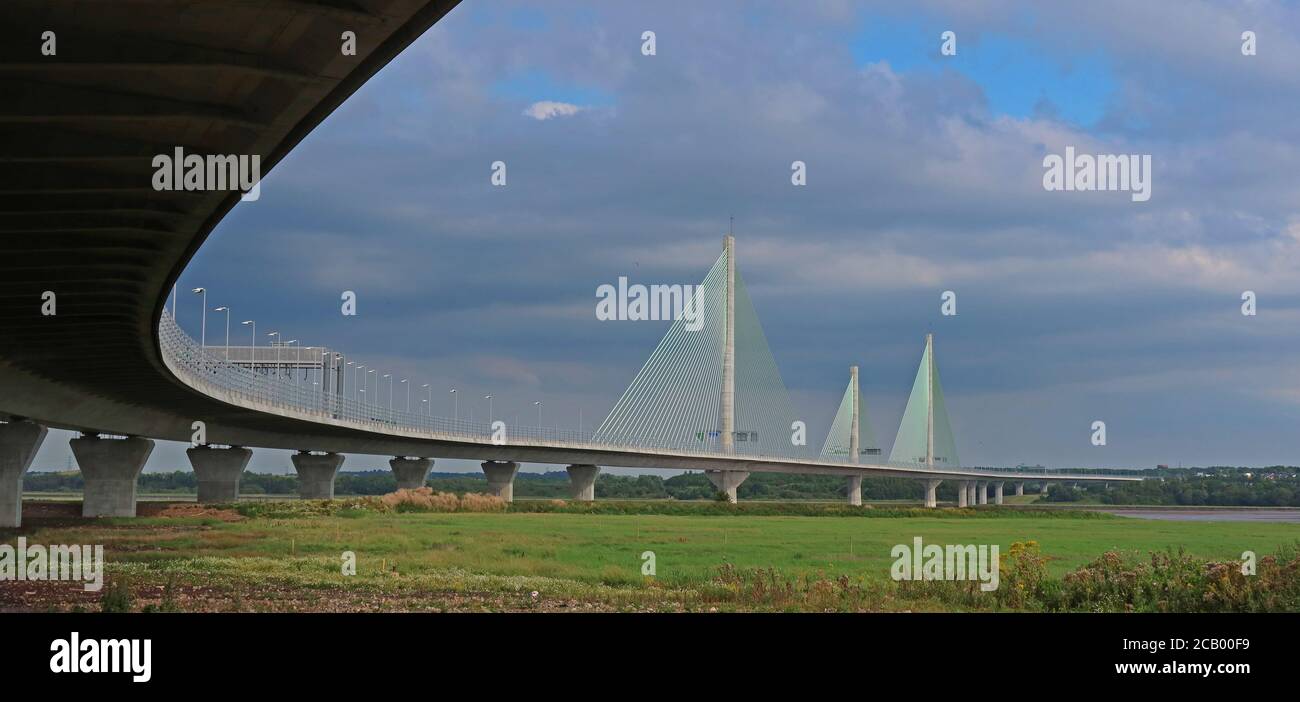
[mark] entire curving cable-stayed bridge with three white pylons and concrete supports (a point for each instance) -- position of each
(81, 223)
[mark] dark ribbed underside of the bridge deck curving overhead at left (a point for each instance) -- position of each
(79, 214)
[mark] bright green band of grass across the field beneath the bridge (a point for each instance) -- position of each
(593, 548)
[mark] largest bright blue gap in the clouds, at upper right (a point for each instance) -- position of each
(1020, 77)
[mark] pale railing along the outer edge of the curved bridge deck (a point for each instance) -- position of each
(216, 376)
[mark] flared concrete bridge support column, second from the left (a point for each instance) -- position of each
(110, 469)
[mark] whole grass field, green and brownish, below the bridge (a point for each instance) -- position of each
(219, 560)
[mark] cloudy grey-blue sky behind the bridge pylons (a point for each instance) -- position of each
(925, 174)
